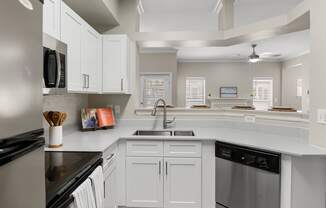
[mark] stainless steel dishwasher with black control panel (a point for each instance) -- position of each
(246, 177)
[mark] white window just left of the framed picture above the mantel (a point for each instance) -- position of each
(195, 91)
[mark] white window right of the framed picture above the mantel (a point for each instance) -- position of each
(263, 93)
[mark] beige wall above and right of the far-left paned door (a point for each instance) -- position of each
(161, 62)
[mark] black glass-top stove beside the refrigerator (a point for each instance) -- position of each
(65, 171)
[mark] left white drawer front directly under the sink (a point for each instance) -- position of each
(144, 148)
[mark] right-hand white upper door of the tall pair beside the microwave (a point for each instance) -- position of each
(90, 59)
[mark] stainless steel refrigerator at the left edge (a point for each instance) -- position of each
(22, 182)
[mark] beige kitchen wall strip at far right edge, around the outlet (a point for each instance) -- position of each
(318, 70)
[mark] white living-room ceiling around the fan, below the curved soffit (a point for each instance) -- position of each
(288, 46)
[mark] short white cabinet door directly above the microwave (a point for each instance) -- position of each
(51, 17)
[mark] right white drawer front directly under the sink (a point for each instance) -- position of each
(182, 149)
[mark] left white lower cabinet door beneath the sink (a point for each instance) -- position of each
(144, 182)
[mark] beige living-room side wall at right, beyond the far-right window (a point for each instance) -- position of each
(292, 70)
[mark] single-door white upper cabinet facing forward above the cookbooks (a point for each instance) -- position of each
(117, 64)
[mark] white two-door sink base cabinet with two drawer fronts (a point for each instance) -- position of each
(156, 180)
